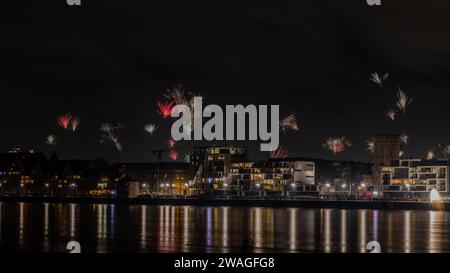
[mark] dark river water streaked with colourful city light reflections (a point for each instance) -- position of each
(119, 228)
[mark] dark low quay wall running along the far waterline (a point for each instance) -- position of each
(274, 203)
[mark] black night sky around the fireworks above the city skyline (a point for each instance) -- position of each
(109, 61)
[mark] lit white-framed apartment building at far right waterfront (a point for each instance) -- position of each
(415, 178)
